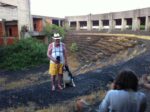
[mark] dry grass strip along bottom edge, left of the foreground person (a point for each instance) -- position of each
(67, 106)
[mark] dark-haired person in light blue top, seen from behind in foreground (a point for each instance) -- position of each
(124, 96)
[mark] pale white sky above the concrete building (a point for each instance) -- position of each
(62, 8)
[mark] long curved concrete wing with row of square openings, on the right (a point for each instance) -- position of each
(134, 20)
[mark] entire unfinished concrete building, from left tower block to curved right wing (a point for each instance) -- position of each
(16, 13)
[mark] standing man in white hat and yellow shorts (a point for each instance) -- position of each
(57, 55)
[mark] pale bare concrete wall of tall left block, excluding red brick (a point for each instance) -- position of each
(17, 10)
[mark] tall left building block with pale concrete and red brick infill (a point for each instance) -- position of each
(13, 15)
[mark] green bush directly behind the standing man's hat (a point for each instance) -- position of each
(49, 30)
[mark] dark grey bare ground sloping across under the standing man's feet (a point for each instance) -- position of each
(41, 94)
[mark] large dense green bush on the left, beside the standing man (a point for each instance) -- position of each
(23, 54)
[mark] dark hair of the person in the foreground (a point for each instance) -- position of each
(126, 80)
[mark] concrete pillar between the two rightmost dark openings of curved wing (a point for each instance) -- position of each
(135, 24)
